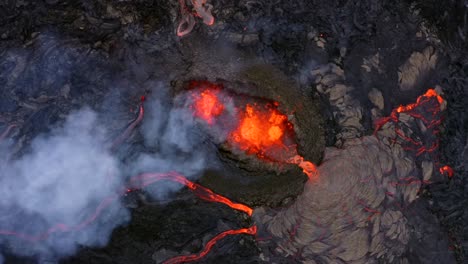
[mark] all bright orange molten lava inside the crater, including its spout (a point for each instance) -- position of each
(261, 129)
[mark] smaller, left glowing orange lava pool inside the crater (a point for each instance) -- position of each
(208, 105)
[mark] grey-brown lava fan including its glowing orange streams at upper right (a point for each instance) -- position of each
(395, 165)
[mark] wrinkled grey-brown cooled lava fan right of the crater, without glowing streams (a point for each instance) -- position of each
(363, 207)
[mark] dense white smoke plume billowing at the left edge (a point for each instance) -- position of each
(62, 180)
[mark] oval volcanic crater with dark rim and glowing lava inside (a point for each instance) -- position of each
(262, 134)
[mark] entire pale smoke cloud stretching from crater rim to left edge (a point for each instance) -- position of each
(68, 172)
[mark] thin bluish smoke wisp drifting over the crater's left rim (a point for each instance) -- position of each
(176, 141)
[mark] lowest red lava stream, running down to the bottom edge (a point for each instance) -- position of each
(182, 259)
